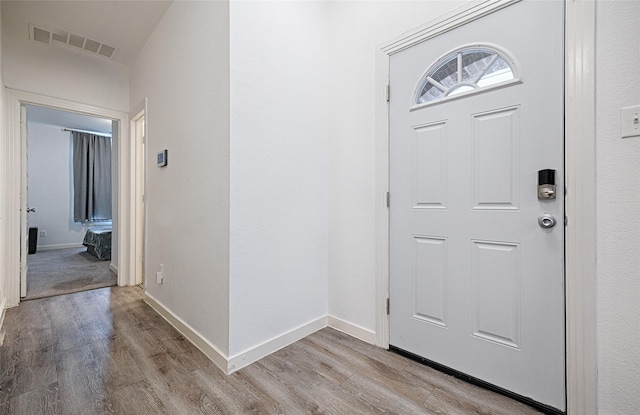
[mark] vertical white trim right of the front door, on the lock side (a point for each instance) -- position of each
(580, 241)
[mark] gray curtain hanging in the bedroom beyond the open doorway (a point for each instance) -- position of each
(91, 177)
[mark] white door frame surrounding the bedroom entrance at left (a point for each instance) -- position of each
(12, 159)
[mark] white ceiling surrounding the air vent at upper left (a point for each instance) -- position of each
(125, 25)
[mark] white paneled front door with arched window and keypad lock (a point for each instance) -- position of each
(476, 270)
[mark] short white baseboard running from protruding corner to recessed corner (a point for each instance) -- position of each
(256, 353)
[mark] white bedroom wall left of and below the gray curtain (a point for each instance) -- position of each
(49, 173)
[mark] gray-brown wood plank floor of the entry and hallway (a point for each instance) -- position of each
(106, 352)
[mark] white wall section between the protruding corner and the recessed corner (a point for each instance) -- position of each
(279, 162)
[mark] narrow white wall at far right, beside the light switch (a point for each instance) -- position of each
(618, 209)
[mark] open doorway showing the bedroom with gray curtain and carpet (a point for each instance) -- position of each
(64, 254)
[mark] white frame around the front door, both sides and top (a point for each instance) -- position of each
(580, 271)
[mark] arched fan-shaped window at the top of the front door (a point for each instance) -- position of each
(466, 70)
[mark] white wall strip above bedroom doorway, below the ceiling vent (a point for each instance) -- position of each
(66, 74)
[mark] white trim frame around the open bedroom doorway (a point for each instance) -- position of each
(123, 225)
